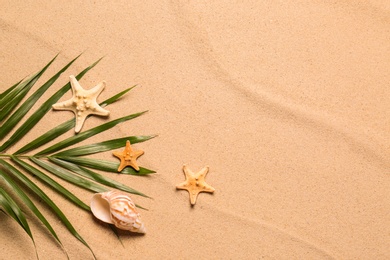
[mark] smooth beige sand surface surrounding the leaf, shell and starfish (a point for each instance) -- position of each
(286, 101)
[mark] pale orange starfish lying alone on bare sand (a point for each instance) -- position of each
(195, 183)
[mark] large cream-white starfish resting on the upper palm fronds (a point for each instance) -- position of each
(83, 103)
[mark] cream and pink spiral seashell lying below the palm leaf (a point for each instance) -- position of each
(115, 207)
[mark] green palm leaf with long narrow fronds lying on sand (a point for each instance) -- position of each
(75, 170)
